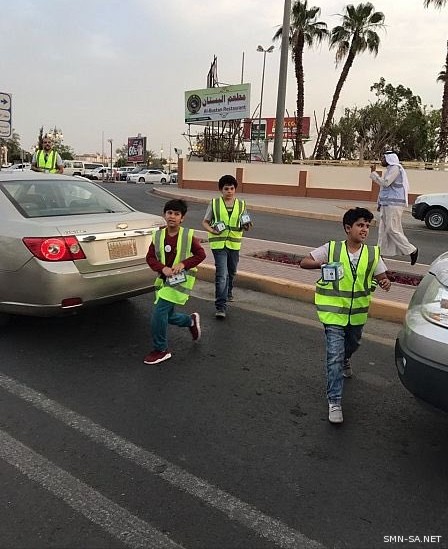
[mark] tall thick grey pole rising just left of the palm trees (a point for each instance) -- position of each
(282, 78)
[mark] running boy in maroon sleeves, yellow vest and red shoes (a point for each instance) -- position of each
(174, 253)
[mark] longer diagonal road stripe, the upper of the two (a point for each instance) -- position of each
(236, 510)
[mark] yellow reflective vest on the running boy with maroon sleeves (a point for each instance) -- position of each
(179, 293)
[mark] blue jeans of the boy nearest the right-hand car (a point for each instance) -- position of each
(342, 342)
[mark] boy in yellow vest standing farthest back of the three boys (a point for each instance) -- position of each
(225, 220)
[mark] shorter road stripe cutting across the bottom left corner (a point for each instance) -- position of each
(100, 510)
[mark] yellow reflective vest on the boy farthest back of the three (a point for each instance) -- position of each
(232, 235)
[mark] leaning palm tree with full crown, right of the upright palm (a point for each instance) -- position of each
(356, 34)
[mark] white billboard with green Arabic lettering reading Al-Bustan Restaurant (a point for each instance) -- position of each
(217, 104)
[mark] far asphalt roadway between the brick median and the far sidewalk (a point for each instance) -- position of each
(280, 228)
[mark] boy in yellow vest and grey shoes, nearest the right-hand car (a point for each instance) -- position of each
(350, 271)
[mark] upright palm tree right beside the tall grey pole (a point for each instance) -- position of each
(303, 29)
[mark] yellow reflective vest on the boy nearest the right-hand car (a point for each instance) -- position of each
(347, 301)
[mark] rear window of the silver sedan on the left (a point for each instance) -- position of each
(57, 198)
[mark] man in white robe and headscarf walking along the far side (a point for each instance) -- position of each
(392, 200)
